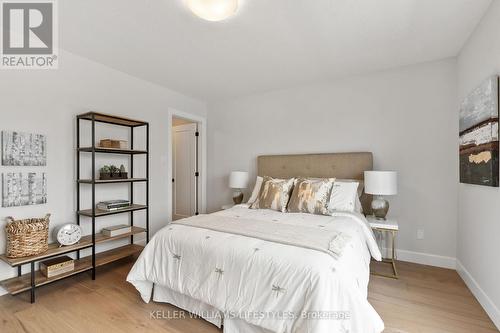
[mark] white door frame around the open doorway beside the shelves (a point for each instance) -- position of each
(202, 158)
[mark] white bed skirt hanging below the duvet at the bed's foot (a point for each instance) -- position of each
(205, 311)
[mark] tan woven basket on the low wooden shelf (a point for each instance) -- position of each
(27, 237)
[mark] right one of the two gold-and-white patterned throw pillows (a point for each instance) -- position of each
(311, 196)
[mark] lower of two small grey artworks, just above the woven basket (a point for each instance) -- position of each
(22, 189)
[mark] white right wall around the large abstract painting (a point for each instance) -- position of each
(479, 209)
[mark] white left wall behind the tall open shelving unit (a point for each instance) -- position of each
(46, 102)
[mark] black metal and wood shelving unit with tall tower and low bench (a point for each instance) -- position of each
(34, 279)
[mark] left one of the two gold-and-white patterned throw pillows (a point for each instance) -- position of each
(274, 194)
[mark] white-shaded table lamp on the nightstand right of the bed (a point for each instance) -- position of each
(381, 183)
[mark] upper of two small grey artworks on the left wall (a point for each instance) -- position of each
(23, 149)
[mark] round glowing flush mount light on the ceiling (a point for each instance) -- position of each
(213, 10)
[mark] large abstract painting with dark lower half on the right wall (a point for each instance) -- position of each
(479, 135)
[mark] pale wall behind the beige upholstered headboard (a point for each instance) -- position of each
(406, 117)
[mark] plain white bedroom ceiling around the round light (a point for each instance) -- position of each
(268, 44)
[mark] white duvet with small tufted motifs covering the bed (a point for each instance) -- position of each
(275, 286)
